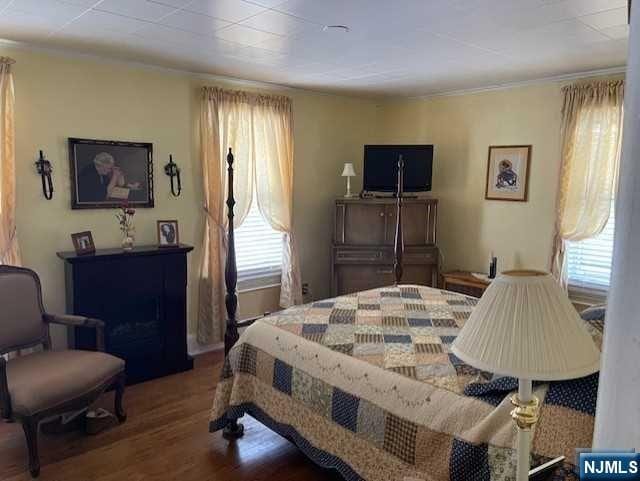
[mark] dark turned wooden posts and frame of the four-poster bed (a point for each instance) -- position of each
(235, 430)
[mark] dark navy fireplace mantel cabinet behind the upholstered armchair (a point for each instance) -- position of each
(141, 296)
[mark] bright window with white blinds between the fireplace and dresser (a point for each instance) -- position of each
(258, 251)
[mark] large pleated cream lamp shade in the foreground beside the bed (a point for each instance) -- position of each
(525, 326)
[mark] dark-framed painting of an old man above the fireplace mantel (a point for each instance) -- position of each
(107, 173)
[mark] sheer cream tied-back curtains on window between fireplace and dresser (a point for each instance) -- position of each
(259, 130)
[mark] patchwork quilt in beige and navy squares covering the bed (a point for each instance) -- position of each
(366, 384)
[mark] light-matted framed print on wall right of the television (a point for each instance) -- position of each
(508, 168)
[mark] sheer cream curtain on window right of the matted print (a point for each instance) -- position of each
(591, 139)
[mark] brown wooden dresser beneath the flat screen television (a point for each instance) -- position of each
(362, 249)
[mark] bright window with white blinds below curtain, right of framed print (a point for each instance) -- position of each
(589, 261)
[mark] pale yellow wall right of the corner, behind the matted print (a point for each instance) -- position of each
(462, 128)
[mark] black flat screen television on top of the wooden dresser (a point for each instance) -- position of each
(381, 167)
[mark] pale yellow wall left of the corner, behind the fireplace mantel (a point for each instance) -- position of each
(60, 96)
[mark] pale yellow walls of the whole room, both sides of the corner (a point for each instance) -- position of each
(59, 96)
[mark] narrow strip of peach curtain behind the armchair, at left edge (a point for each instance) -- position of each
(9, 252)
